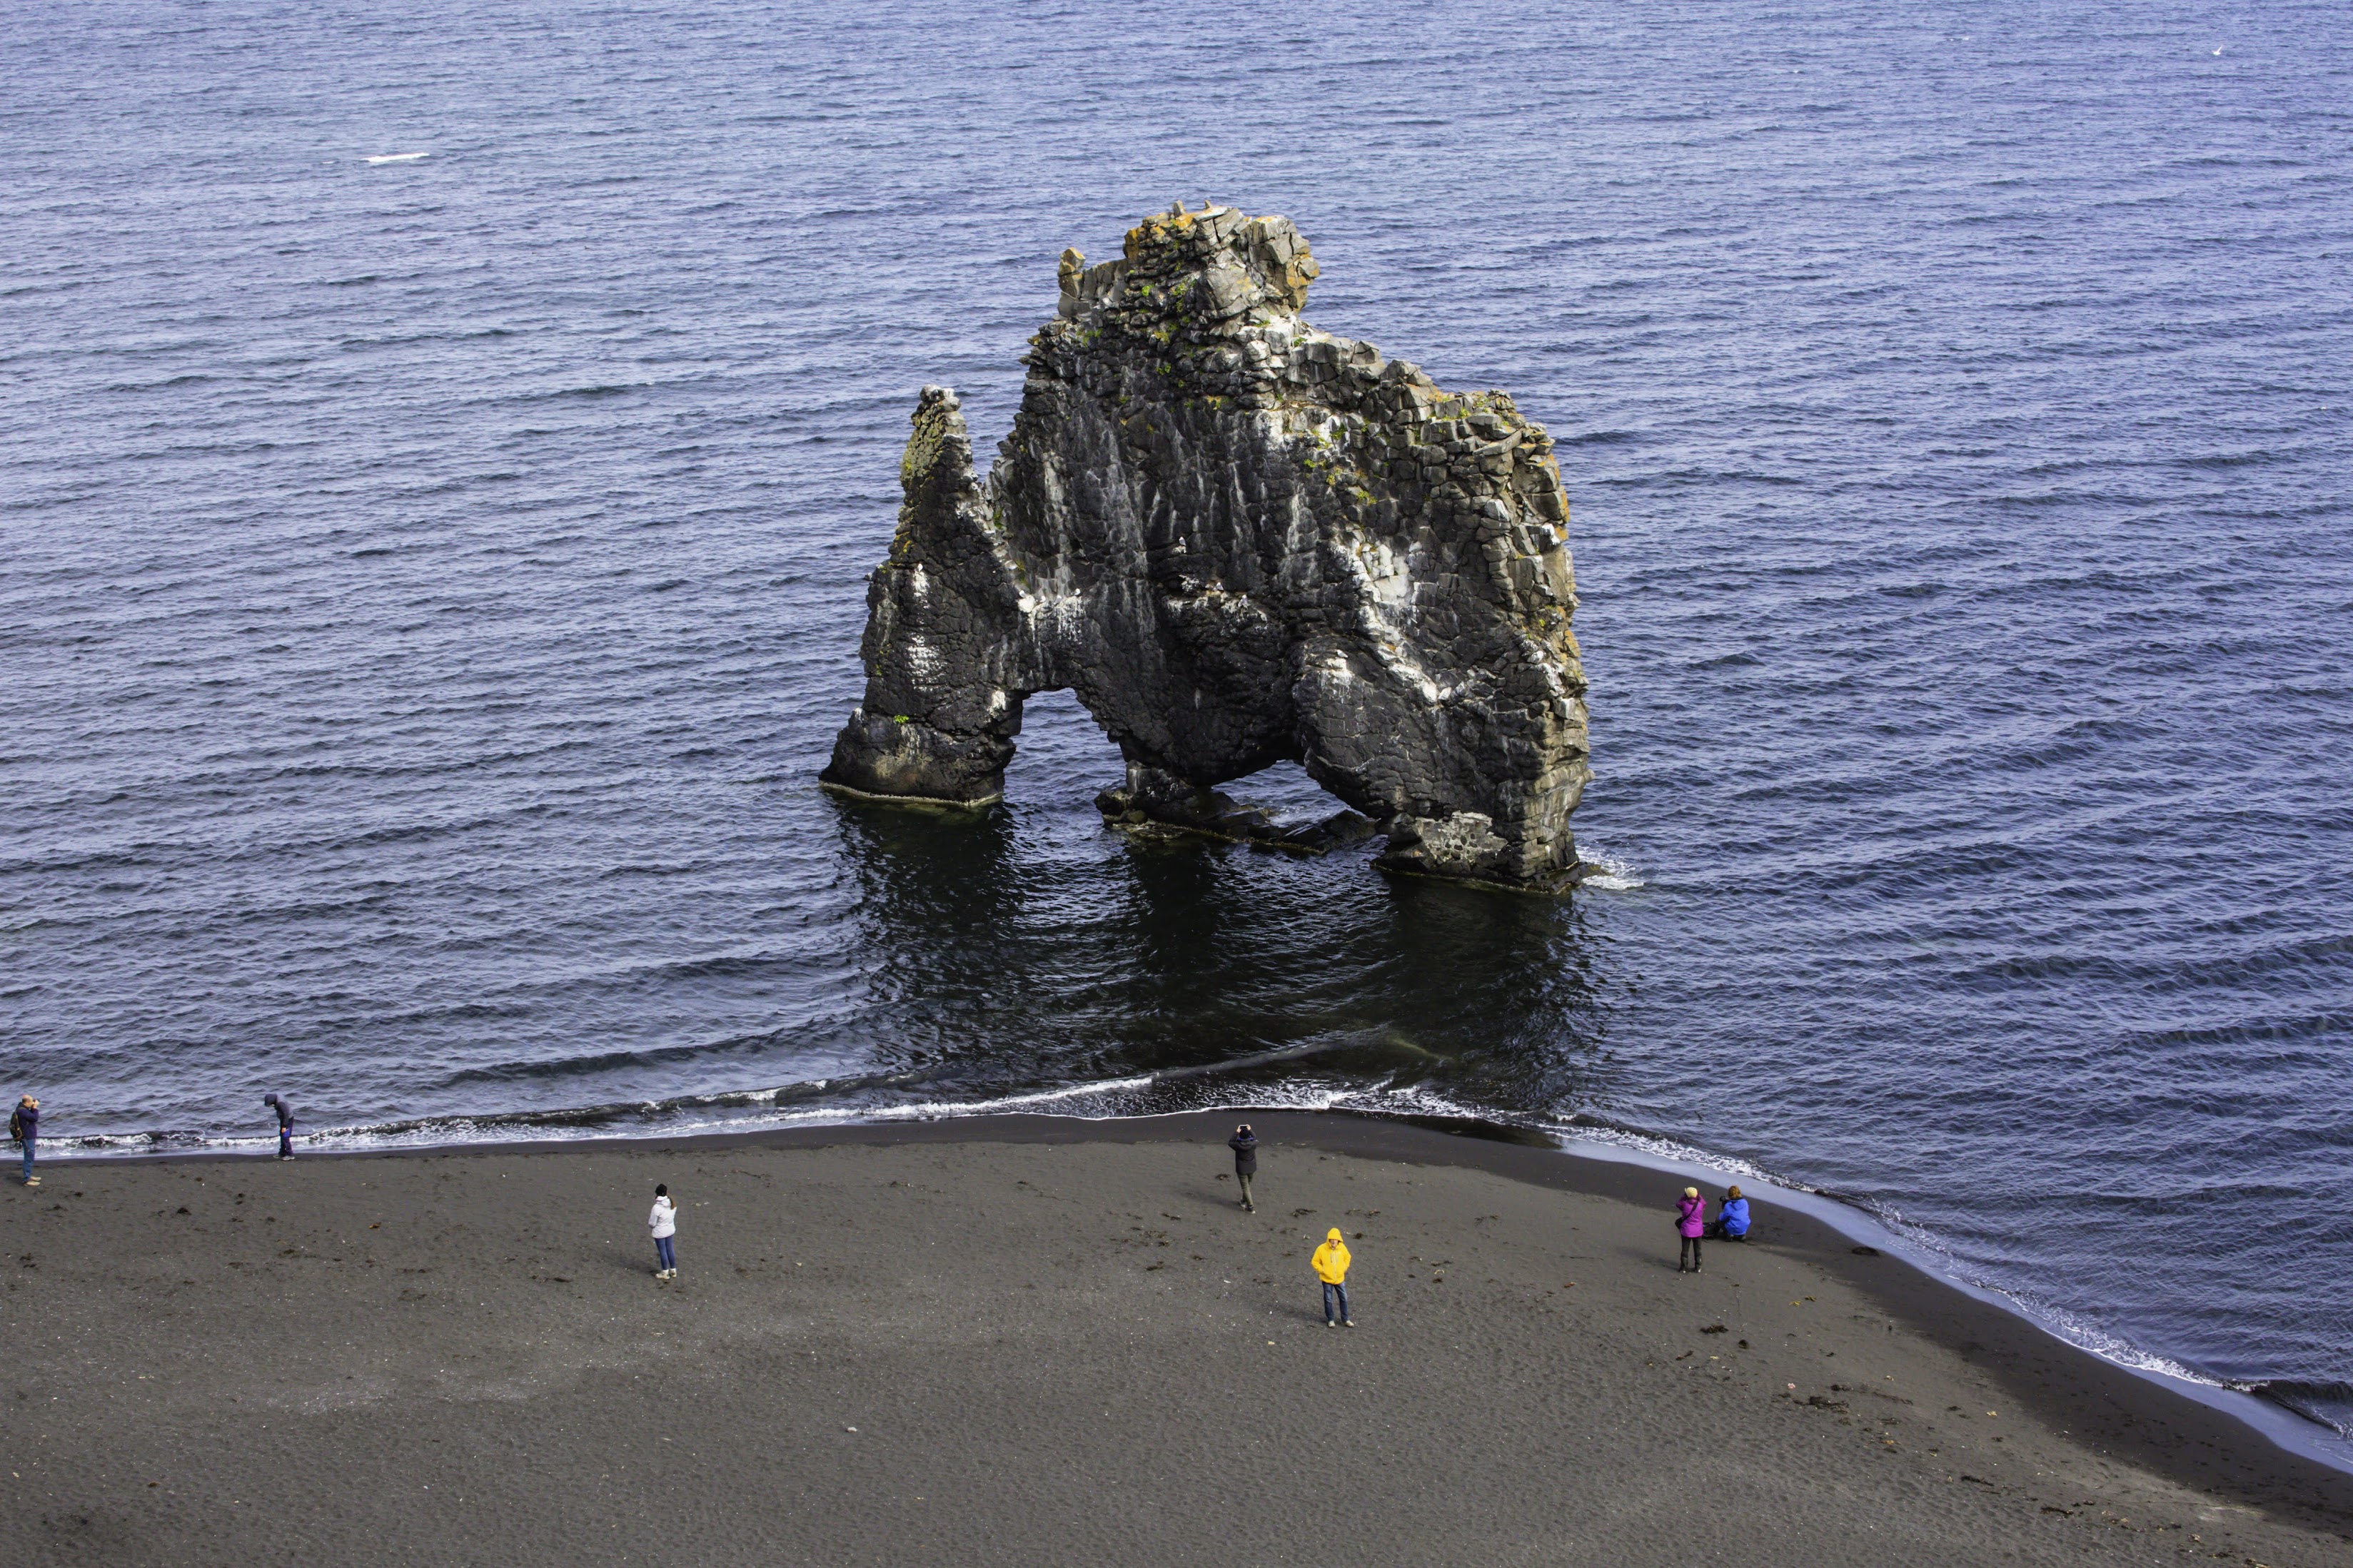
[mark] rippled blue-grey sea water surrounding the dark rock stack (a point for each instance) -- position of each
(444, 445)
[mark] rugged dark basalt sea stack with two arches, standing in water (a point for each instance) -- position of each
(1239, 542)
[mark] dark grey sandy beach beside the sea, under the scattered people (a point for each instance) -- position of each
(1029, 1341)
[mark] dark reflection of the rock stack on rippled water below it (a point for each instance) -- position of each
(1027, 946)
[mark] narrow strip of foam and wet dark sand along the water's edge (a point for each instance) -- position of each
(2175, 1426)
